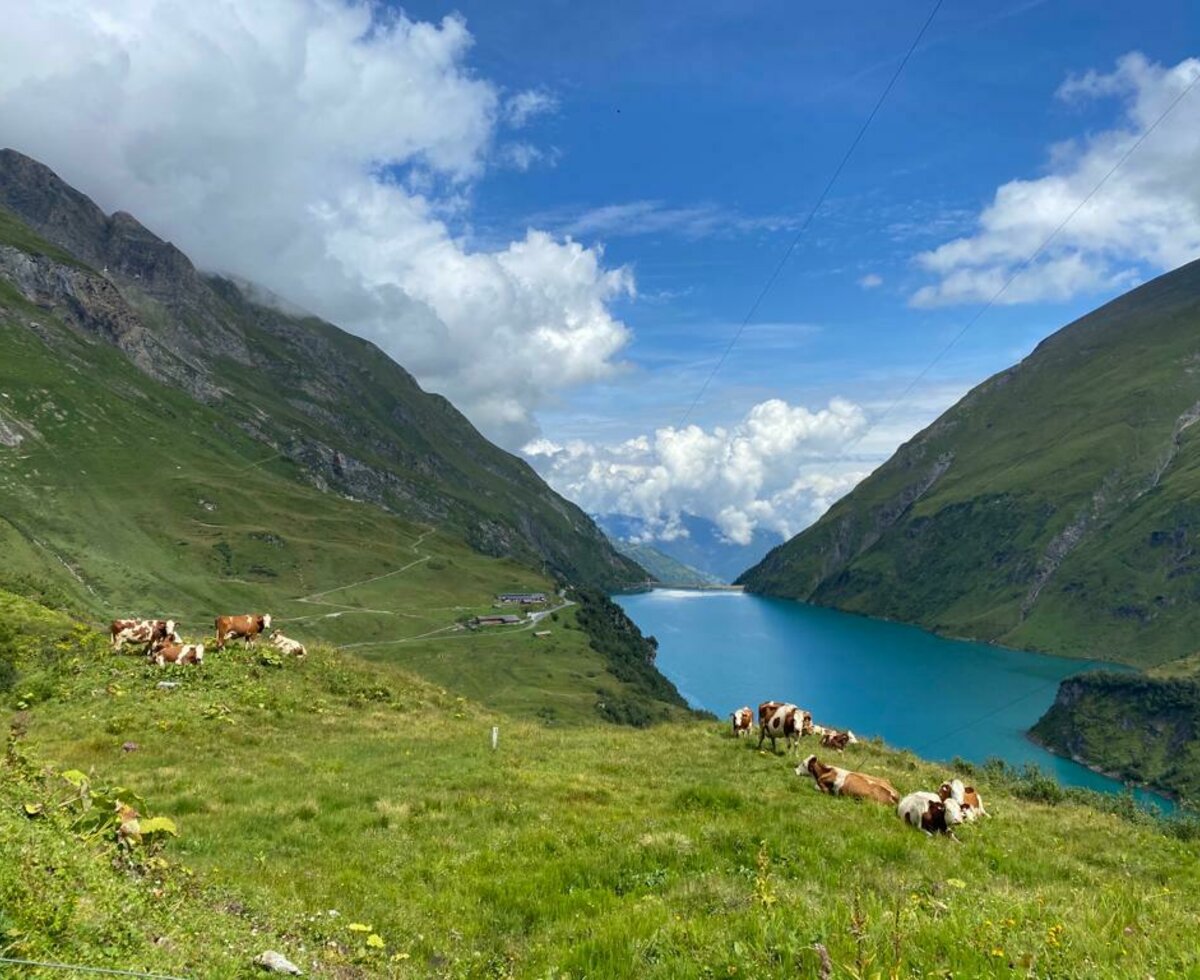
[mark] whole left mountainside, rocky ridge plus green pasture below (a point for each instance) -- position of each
(129, 489)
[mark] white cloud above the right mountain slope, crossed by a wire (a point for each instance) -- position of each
(1147, 218)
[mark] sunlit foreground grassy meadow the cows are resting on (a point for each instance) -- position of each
(337, 799)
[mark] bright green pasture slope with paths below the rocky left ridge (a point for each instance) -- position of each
(128, 497)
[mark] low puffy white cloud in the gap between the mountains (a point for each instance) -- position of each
(778, 468)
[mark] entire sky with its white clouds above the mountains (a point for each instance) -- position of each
(561, 215)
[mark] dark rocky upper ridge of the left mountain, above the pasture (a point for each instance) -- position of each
(334, 408)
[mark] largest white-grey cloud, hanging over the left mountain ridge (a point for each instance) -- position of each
(322, 149)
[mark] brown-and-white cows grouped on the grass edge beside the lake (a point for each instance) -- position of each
(933, 813)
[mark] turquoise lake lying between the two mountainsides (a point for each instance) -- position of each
(939, 698)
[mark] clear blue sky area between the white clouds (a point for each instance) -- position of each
(745, 110)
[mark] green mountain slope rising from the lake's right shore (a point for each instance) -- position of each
(1055, 508)
